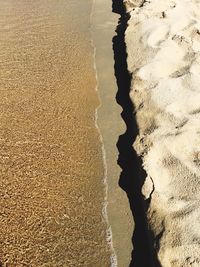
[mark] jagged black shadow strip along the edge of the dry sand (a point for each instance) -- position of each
(133, 176)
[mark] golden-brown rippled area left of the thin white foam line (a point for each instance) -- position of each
(51, 188)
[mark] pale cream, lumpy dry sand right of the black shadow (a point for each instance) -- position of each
(163, 46)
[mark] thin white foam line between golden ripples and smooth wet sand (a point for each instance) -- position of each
(109, 238)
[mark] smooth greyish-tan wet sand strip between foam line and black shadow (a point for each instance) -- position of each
(111, 125)
